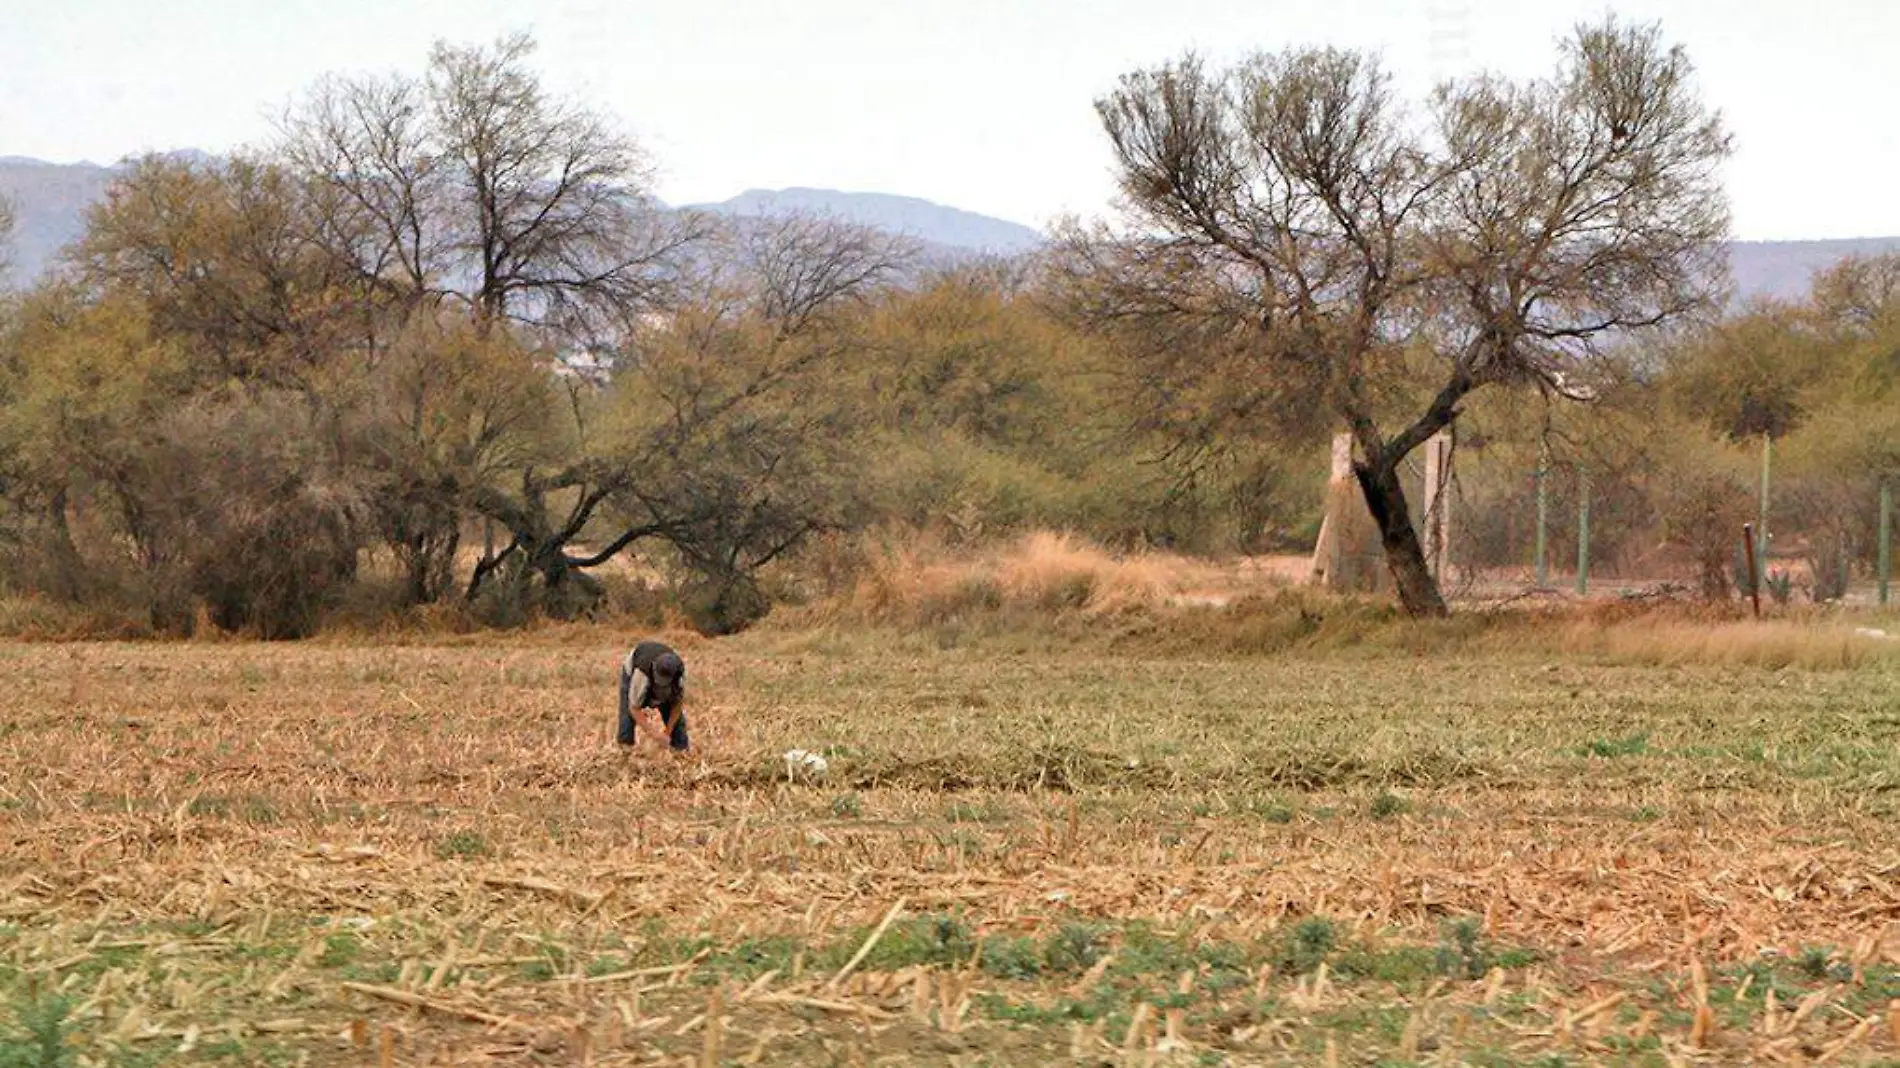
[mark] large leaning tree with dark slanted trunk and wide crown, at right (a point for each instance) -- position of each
(1293, 223)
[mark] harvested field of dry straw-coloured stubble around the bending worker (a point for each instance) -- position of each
(430, 854)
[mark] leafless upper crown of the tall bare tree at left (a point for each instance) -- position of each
(474, 183)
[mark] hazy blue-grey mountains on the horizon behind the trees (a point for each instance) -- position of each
(50, 204)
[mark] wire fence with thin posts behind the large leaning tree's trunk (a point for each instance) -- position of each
(1500, 525)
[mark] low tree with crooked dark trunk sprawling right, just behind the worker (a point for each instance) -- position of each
(710, 434)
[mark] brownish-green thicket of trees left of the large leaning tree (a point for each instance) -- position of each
(440, 343)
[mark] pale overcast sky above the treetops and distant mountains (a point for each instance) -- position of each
(976, 104)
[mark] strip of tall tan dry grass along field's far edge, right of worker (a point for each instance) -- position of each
(1050, 592)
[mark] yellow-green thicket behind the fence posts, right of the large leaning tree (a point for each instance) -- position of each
(1675, 448)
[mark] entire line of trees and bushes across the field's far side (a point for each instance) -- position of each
(438, 345)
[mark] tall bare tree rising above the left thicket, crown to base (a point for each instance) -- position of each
(474, 191)
